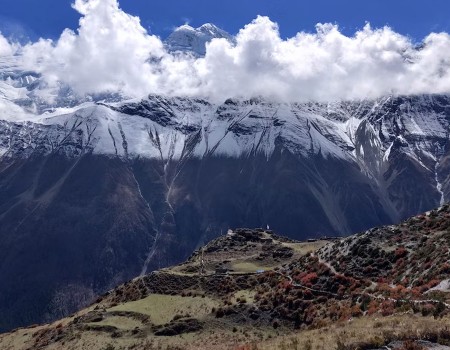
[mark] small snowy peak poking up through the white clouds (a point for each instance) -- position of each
(188, 39)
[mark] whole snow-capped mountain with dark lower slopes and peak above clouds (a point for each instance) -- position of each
(99, 189)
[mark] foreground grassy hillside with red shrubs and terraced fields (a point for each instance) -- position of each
(252, 289)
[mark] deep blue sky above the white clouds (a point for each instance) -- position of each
(47, 18)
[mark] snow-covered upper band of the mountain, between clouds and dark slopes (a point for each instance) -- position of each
(159, 127)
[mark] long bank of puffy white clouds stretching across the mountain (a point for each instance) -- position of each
(112, 52)
